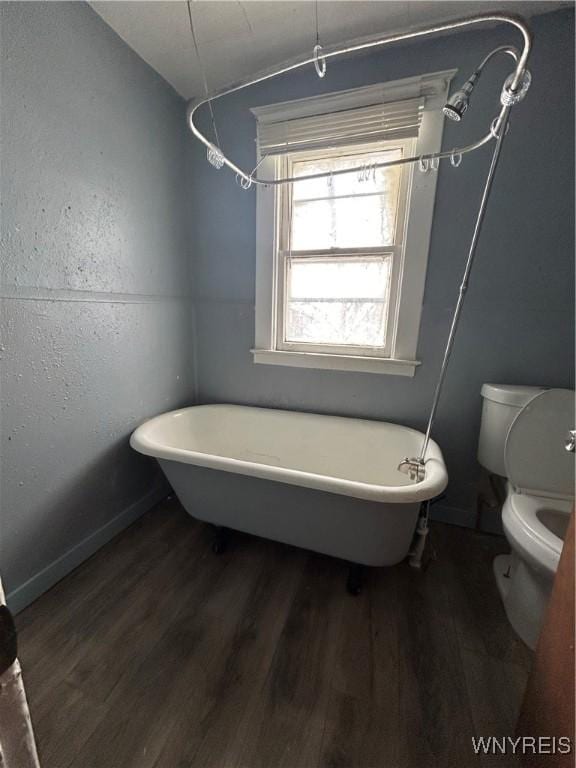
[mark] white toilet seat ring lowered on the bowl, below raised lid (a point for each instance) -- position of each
(524, 528)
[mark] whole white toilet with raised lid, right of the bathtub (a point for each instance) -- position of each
(523, 438)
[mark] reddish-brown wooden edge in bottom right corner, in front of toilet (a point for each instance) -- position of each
(548, 707)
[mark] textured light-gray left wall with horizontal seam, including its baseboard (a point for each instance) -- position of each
(95, 324)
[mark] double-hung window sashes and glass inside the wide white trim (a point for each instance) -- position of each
(339, 248)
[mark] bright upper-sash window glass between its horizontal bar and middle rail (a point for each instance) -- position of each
(345, 222)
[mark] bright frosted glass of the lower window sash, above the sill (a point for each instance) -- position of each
(338, 301)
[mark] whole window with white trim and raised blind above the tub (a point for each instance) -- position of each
(341, 260)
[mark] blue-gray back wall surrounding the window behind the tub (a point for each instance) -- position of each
(518, 324)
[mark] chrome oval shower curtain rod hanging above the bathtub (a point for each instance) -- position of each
(328, 53)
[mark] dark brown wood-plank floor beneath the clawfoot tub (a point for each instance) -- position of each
(156, 653)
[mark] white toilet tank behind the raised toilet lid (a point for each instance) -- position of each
(501, 404)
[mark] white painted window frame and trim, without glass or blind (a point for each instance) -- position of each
(411, 256)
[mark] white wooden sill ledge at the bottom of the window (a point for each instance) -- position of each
(336, 362)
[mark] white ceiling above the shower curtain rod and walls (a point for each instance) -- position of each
(237, 39)
